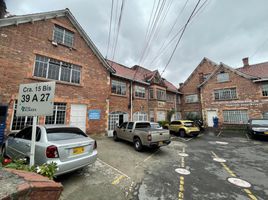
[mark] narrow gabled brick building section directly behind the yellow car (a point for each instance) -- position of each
(190, 98)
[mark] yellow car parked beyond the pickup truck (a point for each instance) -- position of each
(184, 128)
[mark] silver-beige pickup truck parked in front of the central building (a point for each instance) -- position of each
(141, 134)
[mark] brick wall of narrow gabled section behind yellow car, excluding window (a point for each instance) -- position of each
(191, 86)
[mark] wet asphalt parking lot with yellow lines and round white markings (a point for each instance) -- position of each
(122, 173)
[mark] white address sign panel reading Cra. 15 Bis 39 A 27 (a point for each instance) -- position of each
(36, 99)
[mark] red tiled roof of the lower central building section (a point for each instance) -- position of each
(138, 74)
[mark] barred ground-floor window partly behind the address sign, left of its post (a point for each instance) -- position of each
(19, 123)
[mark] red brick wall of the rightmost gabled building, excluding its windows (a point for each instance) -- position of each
(249, 96)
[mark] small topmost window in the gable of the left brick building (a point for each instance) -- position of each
(63, 36)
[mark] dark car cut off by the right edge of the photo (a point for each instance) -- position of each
(257, 127)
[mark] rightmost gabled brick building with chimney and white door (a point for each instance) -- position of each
(235, 95)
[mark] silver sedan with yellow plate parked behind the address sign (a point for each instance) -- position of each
(69, 147)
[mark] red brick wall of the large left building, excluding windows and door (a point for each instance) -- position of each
(18, 47)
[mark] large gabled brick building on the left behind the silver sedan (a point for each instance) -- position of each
(53, 46)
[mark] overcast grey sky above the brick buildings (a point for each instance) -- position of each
(223, 31)
